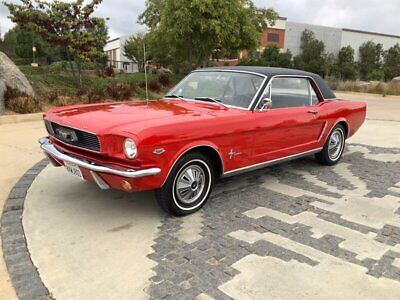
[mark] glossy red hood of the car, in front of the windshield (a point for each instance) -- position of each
(109, 117)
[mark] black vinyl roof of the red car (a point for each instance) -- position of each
(270, 72)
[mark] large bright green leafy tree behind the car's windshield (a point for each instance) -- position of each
(191, 31)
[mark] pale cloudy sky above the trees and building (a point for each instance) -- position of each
(370, 15)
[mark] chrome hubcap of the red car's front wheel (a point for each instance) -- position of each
(190, 184)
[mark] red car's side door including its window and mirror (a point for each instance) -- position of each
(293, 124)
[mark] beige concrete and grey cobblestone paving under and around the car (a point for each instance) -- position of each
(296, 230)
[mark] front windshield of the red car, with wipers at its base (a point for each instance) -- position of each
(229, 88)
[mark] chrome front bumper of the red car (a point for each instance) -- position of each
(49, 148)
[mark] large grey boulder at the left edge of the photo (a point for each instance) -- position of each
(12, 77)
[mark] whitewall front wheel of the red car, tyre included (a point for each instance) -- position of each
(188, 186)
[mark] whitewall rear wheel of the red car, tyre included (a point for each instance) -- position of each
(333, 148)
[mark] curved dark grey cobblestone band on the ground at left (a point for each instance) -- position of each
(23, 273)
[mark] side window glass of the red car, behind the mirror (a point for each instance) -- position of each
(292, 92)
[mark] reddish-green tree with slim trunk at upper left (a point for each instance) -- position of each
(70, 25)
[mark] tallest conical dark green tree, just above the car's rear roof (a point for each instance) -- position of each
(312, 57)
